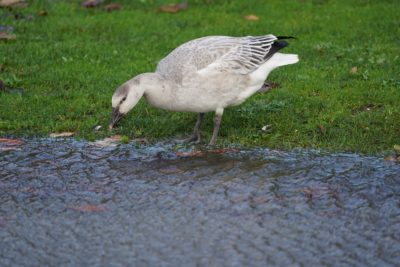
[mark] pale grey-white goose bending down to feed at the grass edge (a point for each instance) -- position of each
(203, 75)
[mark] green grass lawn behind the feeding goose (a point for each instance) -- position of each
(70, 62)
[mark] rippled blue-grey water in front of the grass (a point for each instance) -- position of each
(72, 203)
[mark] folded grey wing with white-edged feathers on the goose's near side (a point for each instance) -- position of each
(241, 55)
